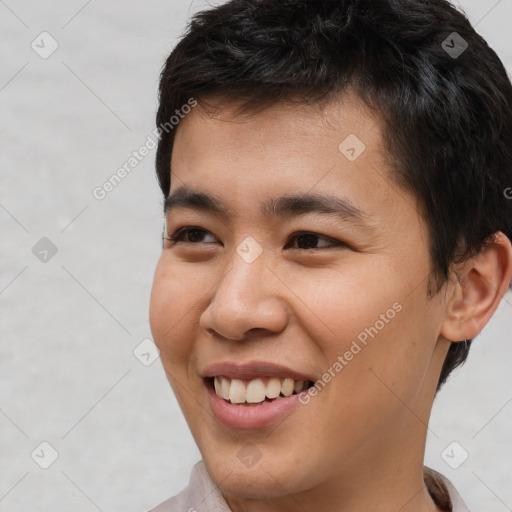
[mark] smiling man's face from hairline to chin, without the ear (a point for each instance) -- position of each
(326, 287)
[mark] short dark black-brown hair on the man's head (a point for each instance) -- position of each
(447, 119)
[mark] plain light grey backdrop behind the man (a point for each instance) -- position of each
(69, 326)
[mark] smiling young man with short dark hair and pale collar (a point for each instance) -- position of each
(337, 232)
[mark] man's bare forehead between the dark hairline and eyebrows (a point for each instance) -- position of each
(246, 160)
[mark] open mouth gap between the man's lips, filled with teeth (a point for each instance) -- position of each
(256, 392)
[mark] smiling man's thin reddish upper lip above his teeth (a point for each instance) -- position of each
(252, 370)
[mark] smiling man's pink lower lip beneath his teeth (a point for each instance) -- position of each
(251, 416)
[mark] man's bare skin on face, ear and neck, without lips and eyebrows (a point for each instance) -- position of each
(359, 444)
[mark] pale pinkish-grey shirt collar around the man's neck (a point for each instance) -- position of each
(202, 495)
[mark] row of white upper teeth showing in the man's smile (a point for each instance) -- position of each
(254, 391)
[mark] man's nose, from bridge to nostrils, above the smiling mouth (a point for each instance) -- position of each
(245, 299)
